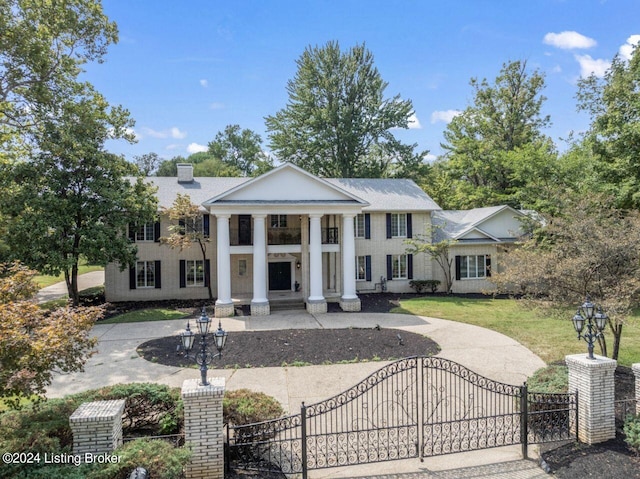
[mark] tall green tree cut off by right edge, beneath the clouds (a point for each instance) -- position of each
(614, 136)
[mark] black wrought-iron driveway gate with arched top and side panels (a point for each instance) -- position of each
(413, 407)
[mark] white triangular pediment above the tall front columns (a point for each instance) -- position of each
(287, 183)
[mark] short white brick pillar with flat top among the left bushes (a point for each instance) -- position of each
(97, 426)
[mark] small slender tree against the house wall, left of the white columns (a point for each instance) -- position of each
(188, 229)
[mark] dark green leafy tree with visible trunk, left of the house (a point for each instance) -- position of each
(73, 199)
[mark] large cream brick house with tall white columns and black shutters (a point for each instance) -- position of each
(291, 235)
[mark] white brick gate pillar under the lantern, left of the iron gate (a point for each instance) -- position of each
(203, 427)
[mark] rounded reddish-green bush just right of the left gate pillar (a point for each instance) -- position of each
(243, 406)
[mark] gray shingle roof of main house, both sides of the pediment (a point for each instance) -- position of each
(381, 194)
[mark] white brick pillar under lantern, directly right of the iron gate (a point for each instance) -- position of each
(594, 381)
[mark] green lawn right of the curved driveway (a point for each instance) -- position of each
(550, 338)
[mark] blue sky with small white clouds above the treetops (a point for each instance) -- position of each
(186, 69)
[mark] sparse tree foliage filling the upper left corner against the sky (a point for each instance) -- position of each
(42, 49)
